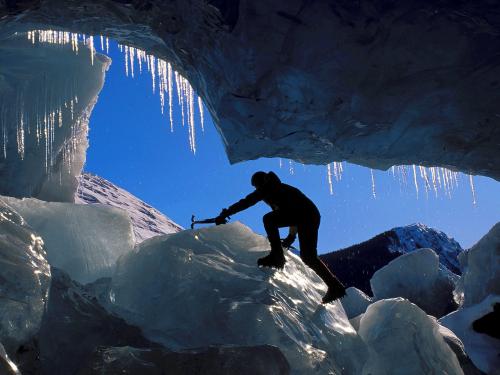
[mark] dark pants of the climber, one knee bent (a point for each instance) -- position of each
(307, 227)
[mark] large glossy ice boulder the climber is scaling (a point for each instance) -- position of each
(202, 287)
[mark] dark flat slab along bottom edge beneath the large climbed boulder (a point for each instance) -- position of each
(257, 360)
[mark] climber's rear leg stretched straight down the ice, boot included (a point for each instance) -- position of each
(308, 241)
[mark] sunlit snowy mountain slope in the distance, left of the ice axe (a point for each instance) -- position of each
(146, 220)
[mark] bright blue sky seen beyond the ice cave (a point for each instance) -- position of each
(132, 146)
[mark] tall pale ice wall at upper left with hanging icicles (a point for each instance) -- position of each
(47, 93)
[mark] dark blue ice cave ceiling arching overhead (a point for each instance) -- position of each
(377, 83)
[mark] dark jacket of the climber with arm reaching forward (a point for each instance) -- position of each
(278, 196)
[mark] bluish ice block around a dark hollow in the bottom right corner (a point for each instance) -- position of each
(482, 349)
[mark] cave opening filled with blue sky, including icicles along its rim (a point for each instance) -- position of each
(140, 147)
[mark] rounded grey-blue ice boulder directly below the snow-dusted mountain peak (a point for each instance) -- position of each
(418, 277)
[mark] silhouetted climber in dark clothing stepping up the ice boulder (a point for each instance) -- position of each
(291, 208)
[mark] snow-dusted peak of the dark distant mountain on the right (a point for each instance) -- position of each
(419, 236)
